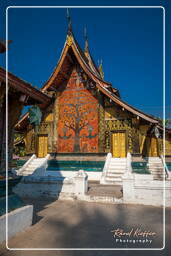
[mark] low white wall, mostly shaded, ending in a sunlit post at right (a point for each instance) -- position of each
(48, 186)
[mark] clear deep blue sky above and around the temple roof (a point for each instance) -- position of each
(129, 41)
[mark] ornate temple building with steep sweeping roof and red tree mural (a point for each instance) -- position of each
(87, 115)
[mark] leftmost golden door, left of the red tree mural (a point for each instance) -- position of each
(42, 144)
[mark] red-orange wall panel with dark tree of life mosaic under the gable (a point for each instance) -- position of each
(78, 117)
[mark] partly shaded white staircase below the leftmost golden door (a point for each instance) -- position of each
(35, 166)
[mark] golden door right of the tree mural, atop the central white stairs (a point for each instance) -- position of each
(119, 144)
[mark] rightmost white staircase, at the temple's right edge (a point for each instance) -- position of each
(156, 168)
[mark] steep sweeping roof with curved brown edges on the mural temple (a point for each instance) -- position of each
(71, 52)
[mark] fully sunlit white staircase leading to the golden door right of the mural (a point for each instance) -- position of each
(116, 169)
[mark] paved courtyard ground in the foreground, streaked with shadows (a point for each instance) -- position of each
(75, 224)
